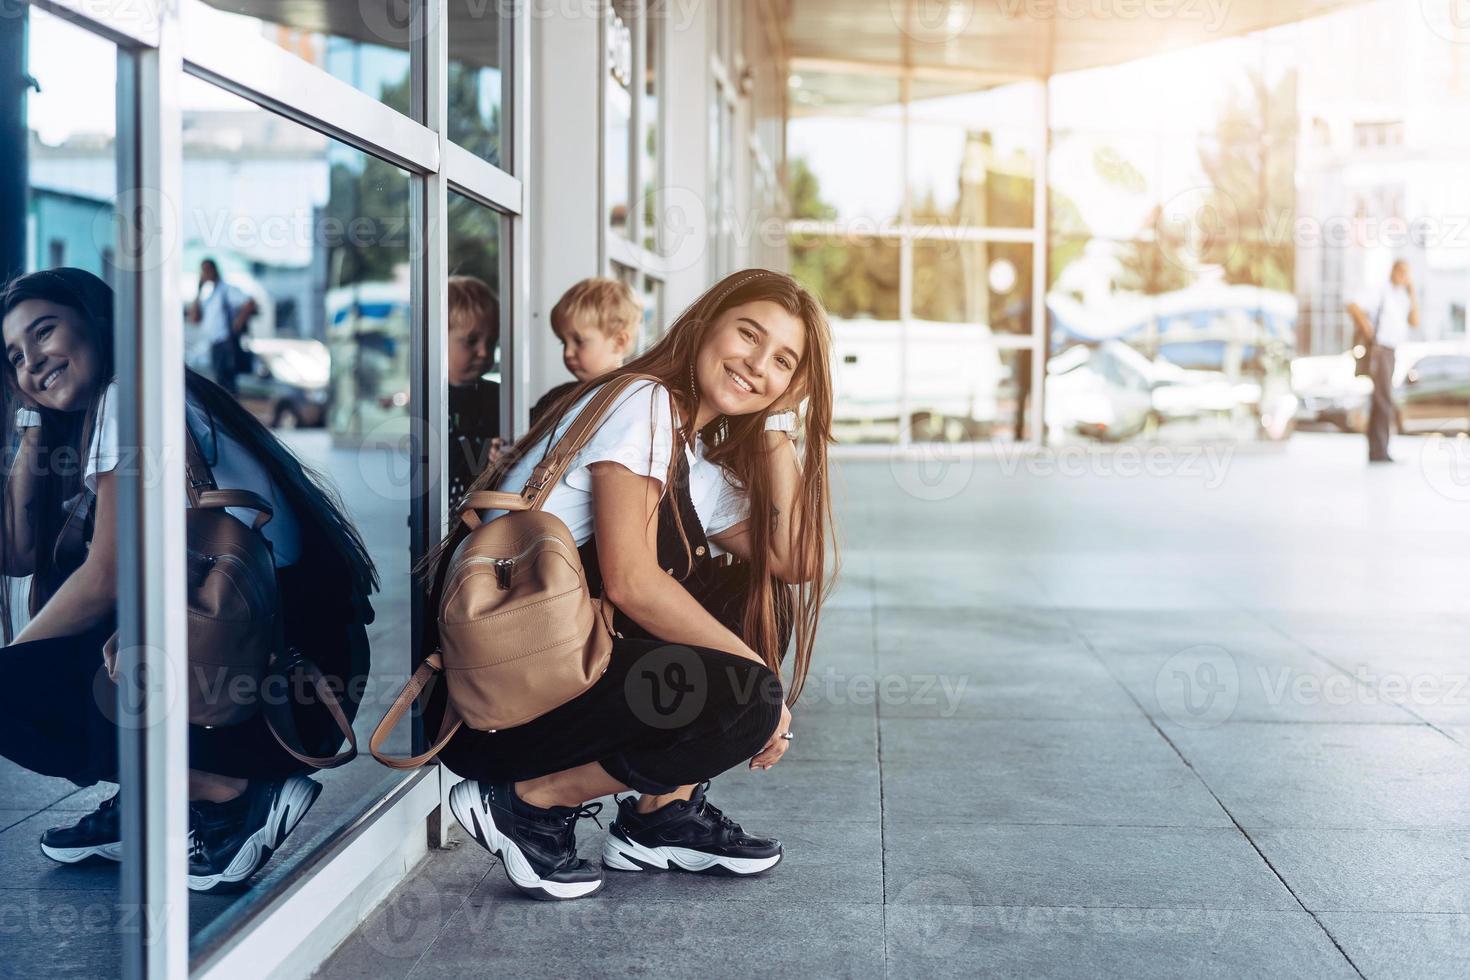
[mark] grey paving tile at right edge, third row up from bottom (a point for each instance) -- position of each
(1363, 777)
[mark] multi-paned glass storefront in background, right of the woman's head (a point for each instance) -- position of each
(925, 255)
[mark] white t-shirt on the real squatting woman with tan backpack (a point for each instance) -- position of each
(637, 433)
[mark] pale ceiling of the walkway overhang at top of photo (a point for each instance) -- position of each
(1025, 39)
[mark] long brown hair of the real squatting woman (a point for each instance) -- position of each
(737, 444)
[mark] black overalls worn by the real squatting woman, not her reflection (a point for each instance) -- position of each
(664, 715)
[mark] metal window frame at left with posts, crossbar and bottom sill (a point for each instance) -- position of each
(154, 749)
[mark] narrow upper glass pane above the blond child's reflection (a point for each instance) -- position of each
(478, 40)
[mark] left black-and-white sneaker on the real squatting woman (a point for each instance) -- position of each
(537, 846)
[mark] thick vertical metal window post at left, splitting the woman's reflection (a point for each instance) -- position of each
(152, 752)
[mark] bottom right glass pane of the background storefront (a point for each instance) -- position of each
(962, 386)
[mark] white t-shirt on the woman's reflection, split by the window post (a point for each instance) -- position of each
(234, 468)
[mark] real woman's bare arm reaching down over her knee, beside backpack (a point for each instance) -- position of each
(624, 509)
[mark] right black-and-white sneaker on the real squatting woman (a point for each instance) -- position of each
(689, 837)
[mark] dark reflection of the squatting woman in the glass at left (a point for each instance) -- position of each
(60, 405)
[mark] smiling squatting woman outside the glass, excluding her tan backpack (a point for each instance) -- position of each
(705, 462)
